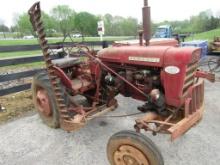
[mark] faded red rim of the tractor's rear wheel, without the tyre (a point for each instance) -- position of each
(43, 103)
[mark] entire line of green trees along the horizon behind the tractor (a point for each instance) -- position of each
(62, 20)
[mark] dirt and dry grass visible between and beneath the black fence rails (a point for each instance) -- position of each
(17, 104)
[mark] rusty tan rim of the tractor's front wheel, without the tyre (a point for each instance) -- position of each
(129, 155)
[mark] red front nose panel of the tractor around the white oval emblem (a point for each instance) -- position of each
(173, 84)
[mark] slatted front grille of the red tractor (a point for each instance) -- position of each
(189, 79)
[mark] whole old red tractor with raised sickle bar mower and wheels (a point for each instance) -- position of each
(166, 78)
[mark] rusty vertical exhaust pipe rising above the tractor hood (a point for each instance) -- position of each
(146, 22)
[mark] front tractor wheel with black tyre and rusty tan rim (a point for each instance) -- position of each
(131, 148)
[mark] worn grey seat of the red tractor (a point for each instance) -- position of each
(66, 62)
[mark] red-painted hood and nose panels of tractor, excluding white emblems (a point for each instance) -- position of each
(167, 56)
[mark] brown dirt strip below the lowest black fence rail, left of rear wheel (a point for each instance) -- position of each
(15, 105)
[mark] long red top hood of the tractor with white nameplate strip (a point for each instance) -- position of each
(157, 56)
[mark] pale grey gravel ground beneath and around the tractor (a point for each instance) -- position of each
(28, 141)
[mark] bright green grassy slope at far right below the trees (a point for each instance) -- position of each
(209, 35)
